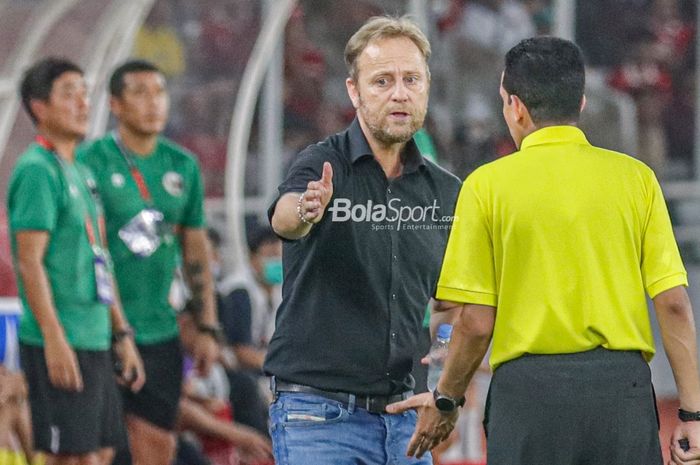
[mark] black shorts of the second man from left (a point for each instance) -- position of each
(157, 402)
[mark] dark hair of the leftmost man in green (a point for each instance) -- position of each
(38, 80)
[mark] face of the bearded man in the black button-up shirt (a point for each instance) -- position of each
(391, 92)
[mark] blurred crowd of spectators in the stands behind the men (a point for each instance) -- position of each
(647, 54)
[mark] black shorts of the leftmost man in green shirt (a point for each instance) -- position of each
(74, 422)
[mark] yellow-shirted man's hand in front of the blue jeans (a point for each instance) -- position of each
(432, 427)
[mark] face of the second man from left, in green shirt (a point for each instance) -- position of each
(143, 105)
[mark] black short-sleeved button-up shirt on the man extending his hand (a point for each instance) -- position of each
(356, 287)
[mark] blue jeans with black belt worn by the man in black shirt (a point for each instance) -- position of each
(309, 429)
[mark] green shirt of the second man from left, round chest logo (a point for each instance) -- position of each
(174, 182)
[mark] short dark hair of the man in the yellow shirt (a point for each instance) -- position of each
(548, 75)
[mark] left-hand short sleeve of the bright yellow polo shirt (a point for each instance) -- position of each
(468, 274)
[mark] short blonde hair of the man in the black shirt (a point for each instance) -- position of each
(383, 27)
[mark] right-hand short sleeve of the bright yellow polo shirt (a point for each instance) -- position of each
(662, 267)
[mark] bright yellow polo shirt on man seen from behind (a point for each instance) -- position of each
(563, 238)
